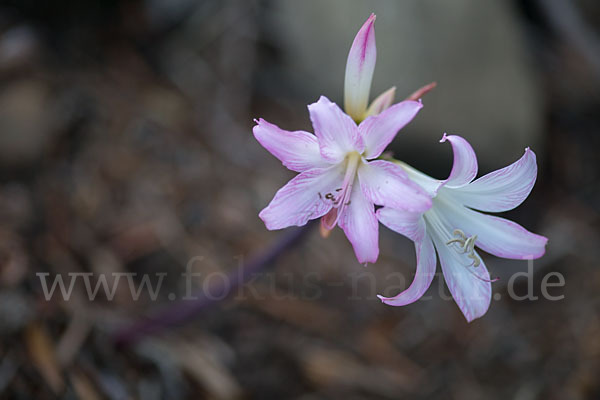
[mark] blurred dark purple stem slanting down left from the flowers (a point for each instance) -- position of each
(184, 310)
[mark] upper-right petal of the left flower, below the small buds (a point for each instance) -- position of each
(379, 130)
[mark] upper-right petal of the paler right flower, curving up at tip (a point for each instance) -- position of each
(501, 190)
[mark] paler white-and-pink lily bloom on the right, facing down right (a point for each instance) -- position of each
(453, 227)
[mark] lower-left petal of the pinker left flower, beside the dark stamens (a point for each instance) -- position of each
(303, 198)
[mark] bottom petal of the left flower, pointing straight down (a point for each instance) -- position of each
(360, 225)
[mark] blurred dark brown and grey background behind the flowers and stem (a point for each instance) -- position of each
(126, 147)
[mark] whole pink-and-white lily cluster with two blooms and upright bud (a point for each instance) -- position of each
(341, 180)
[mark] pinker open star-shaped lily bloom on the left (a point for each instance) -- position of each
(337, 178)
